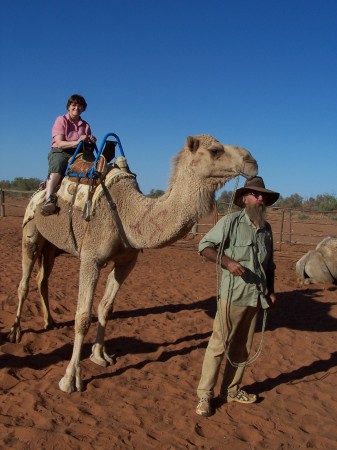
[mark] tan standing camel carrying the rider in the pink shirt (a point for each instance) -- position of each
(199, 170)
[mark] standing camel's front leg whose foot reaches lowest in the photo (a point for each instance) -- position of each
(89, 272)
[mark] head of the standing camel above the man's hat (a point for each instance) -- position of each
(217, 162)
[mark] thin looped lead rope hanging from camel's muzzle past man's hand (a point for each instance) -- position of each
(230, 292)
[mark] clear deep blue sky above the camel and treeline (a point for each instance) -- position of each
(261, 74)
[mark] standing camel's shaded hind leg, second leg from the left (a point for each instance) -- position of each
(46, 264)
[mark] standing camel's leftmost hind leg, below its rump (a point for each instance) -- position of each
(32, 244)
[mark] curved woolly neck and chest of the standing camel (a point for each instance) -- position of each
(151, 223)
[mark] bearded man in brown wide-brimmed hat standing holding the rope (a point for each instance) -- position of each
(242, 245)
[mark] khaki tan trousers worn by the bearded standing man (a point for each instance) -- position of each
(234, 327)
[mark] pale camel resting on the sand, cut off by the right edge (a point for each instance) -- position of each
(319, 265)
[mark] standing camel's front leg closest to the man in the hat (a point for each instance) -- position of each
(115, 280)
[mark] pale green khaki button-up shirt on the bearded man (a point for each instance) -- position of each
(251, 247)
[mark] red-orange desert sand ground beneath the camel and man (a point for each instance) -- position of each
(158, 333)
